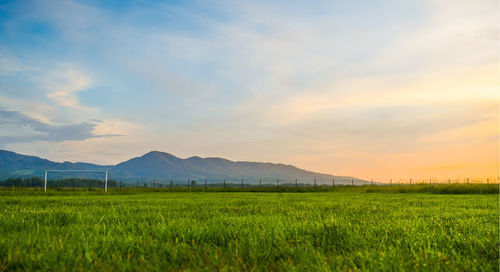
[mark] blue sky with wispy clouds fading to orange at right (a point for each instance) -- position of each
(373, 89)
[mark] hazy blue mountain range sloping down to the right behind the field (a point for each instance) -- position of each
(162, 166)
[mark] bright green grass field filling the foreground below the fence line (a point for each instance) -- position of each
(248, 231)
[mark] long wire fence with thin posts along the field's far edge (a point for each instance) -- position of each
(230, 184)
